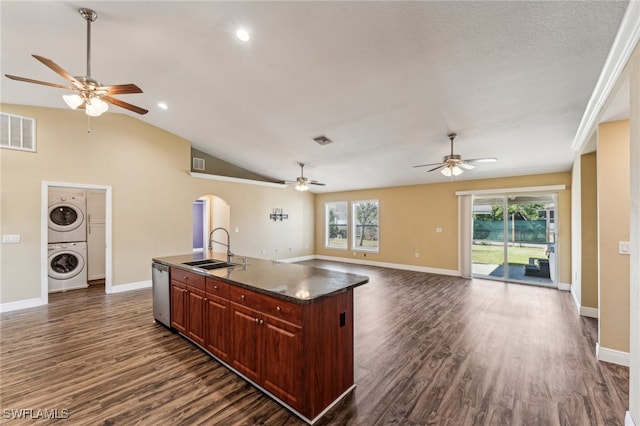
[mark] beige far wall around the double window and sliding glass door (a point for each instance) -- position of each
(409, 216)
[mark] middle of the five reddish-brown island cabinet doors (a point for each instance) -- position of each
(217, 323)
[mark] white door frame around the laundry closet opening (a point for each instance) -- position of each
(44, 239)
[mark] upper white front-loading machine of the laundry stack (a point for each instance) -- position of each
(67, 215)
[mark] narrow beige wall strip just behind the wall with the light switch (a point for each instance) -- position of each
(589, 231)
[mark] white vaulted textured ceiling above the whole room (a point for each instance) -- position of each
(386, 81)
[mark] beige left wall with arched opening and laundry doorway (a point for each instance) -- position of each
(148, 170)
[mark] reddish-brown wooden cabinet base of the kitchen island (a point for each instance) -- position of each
(300, 353)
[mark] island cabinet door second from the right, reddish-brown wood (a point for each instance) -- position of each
(245, 326)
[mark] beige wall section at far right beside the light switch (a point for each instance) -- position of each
(613, 226)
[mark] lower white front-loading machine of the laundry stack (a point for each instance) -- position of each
(67, 266)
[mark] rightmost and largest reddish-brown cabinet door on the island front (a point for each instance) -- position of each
(282, 353)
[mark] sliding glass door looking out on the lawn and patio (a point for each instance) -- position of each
(514, 238)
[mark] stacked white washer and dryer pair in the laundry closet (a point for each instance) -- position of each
(67, 243)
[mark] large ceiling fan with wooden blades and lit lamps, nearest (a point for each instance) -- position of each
(89, 94)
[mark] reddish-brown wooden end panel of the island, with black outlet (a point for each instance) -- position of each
(328, 325)
